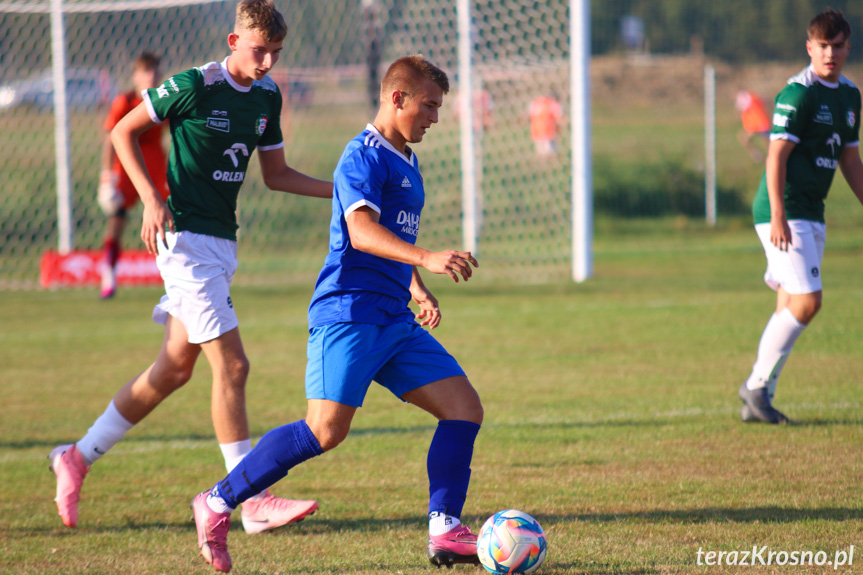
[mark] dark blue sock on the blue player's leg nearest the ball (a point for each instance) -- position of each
(449, 465)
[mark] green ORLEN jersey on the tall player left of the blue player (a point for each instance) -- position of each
(216, 124)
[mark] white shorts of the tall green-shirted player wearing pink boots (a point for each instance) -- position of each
(197, 270)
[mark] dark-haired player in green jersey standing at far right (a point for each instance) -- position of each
(816, 129)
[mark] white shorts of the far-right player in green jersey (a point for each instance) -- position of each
(798, 270)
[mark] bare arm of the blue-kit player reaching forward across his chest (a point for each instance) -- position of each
(369, 236)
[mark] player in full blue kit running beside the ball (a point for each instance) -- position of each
(361, 328)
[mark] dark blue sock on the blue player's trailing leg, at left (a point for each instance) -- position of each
(271, 459)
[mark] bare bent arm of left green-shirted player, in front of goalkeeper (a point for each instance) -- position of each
(157, 217)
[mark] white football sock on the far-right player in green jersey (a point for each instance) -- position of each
(776, 344)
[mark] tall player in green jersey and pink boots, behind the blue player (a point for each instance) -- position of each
(219, 113)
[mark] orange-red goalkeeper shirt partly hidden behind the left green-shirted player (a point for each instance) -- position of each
(151, 147)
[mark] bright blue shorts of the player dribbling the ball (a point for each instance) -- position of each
(344, 358)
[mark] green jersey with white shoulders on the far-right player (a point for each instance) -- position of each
(821, 118)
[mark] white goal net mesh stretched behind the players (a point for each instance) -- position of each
(333, 51)
